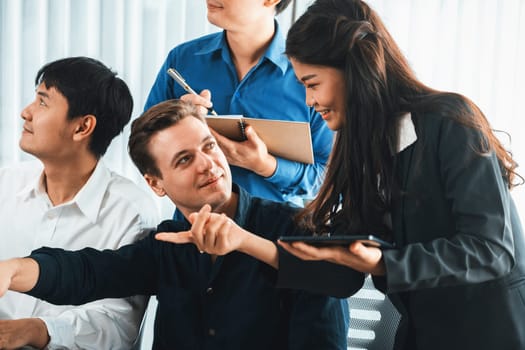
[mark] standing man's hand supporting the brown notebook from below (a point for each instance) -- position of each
(251, 154)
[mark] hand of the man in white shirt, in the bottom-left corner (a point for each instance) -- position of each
(15, 334)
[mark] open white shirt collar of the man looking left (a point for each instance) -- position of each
(88, 199)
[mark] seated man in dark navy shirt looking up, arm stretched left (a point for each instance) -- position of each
(205, 301)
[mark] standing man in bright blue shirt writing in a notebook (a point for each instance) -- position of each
(244, 71)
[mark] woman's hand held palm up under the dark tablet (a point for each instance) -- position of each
(356, 256)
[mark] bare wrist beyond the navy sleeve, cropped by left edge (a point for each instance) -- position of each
(19, 274)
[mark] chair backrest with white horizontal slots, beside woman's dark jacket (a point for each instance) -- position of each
(373, 319)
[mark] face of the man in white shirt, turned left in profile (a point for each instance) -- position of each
(47, 133)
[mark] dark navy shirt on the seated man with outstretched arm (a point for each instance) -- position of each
(229, 304)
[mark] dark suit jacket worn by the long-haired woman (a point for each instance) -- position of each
(458, 274)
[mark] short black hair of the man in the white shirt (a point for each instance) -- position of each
(91, 88)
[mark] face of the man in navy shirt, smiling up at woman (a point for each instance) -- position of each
(194, 169)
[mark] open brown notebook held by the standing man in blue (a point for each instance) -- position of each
(285, 139)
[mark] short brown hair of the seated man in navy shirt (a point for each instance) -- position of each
(157, 118)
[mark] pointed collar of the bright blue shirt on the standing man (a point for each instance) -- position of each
(274, 53)
